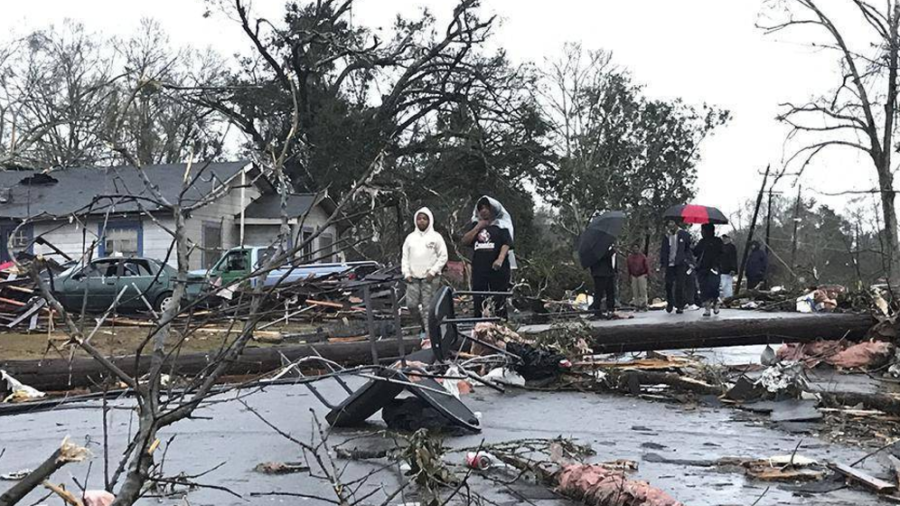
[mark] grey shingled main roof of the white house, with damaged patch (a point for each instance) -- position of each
(27, 193)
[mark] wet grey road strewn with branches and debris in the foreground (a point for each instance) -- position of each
(617, 428)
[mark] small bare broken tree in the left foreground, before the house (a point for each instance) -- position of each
(157, 408)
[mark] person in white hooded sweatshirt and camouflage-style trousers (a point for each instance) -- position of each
(424, 257)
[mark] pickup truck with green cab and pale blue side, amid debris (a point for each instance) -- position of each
(238, 263)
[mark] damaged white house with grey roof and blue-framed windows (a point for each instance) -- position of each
(110, 210)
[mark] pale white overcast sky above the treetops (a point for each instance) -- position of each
(700, 50)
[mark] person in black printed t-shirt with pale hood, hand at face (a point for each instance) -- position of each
(490, 261)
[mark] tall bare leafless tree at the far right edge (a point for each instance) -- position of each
(860, 113)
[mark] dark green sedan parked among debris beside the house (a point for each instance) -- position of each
(146, 282)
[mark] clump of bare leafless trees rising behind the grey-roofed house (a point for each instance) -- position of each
(64, 92)
